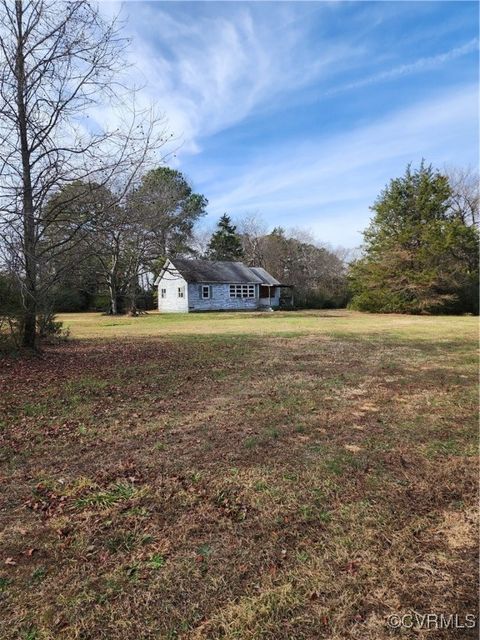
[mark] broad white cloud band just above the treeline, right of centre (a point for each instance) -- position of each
(329, 184)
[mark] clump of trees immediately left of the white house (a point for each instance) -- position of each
(123, 241)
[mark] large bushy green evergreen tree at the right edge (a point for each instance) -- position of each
(420, 252)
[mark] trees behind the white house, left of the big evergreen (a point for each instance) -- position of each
(110, 263)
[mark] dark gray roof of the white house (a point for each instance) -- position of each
(226, 272)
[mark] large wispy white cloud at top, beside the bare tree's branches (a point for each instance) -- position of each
(213, 71)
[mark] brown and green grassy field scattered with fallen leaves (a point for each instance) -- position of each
(283, 476)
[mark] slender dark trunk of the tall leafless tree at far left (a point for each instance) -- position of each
(30, 284)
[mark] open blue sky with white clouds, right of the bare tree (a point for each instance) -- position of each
(301, 112)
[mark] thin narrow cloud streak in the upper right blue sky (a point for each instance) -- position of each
(420, 65)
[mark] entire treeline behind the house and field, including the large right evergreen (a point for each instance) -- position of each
(420, 252)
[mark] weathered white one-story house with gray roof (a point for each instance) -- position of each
(200, 285)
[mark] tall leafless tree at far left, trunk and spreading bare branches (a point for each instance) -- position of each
(58, 60)
